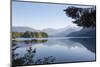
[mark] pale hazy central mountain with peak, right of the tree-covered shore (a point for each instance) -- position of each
(59, 32)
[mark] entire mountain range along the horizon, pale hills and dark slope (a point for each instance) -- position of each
(62, 32)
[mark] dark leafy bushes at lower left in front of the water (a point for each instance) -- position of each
(28, 58)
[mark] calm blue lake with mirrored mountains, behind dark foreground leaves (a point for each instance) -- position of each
(59, 50)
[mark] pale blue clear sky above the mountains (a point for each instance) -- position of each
(40, 15)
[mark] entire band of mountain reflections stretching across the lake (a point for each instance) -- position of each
(89, 43)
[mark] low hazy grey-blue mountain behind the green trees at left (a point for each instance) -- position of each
(23, 29)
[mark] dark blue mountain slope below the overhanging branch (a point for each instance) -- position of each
(89, 32)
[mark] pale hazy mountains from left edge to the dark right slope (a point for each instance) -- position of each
(51, 32)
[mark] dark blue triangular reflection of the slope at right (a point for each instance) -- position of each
(89, 43)
